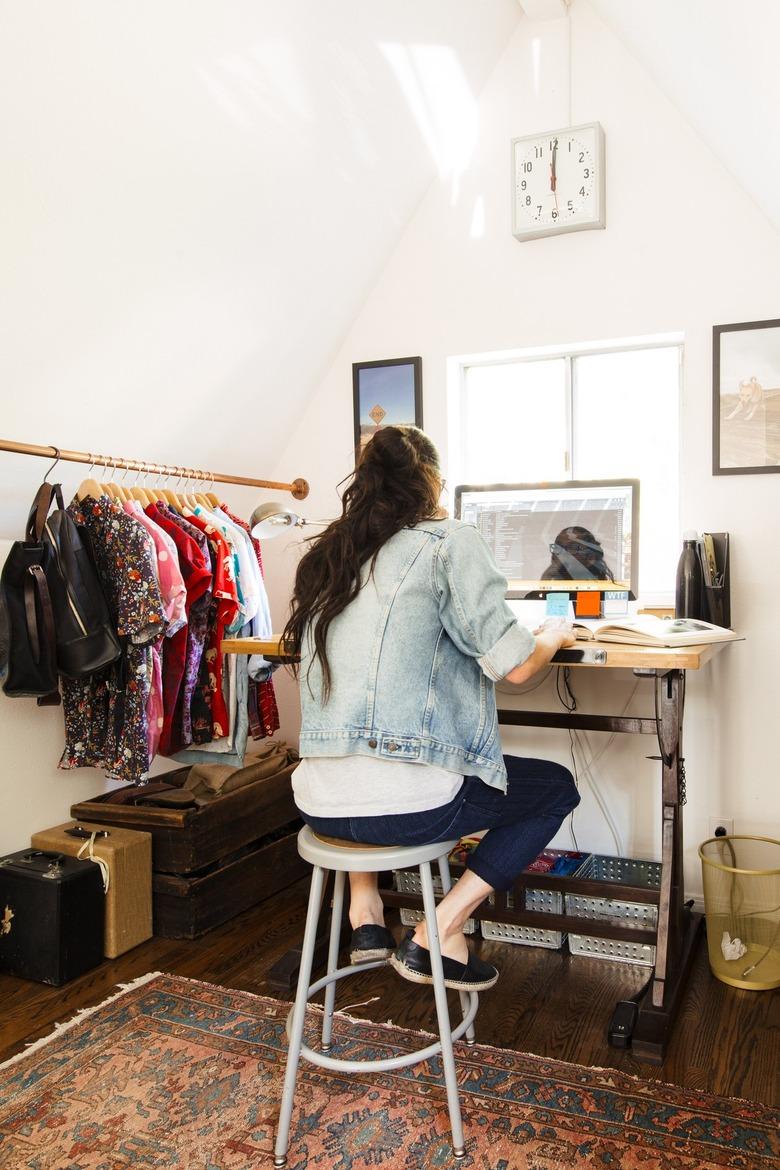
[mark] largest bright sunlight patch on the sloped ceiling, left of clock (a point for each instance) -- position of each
(444, 107)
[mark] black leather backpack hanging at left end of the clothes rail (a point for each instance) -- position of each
(58, 616)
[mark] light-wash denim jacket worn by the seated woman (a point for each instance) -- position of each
(415, 658)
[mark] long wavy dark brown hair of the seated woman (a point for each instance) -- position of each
(396, 485)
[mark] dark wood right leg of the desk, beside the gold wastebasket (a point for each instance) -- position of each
(678, 928)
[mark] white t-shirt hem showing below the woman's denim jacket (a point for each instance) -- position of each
(363, 787)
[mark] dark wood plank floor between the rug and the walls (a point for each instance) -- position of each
(728, 1042)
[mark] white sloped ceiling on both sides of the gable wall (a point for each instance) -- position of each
(199, 196)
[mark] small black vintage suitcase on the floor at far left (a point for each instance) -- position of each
(52, 910)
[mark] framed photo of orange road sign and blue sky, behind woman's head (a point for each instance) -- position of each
(385, 394)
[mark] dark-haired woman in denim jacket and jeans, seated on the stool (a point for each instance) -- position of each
(402, 625)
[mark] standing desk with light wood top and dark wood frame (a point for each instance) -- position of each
(678, 927)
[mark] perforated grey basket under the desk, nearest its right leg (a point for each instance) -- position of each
(630, 872)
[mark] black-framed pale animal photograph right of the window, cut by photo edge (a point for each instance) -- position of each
(747, 398)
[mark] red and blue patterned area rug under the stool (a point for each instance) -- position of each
(182, 1075)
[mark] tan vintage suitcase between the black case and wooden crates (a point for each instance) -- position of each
(128, 855)
